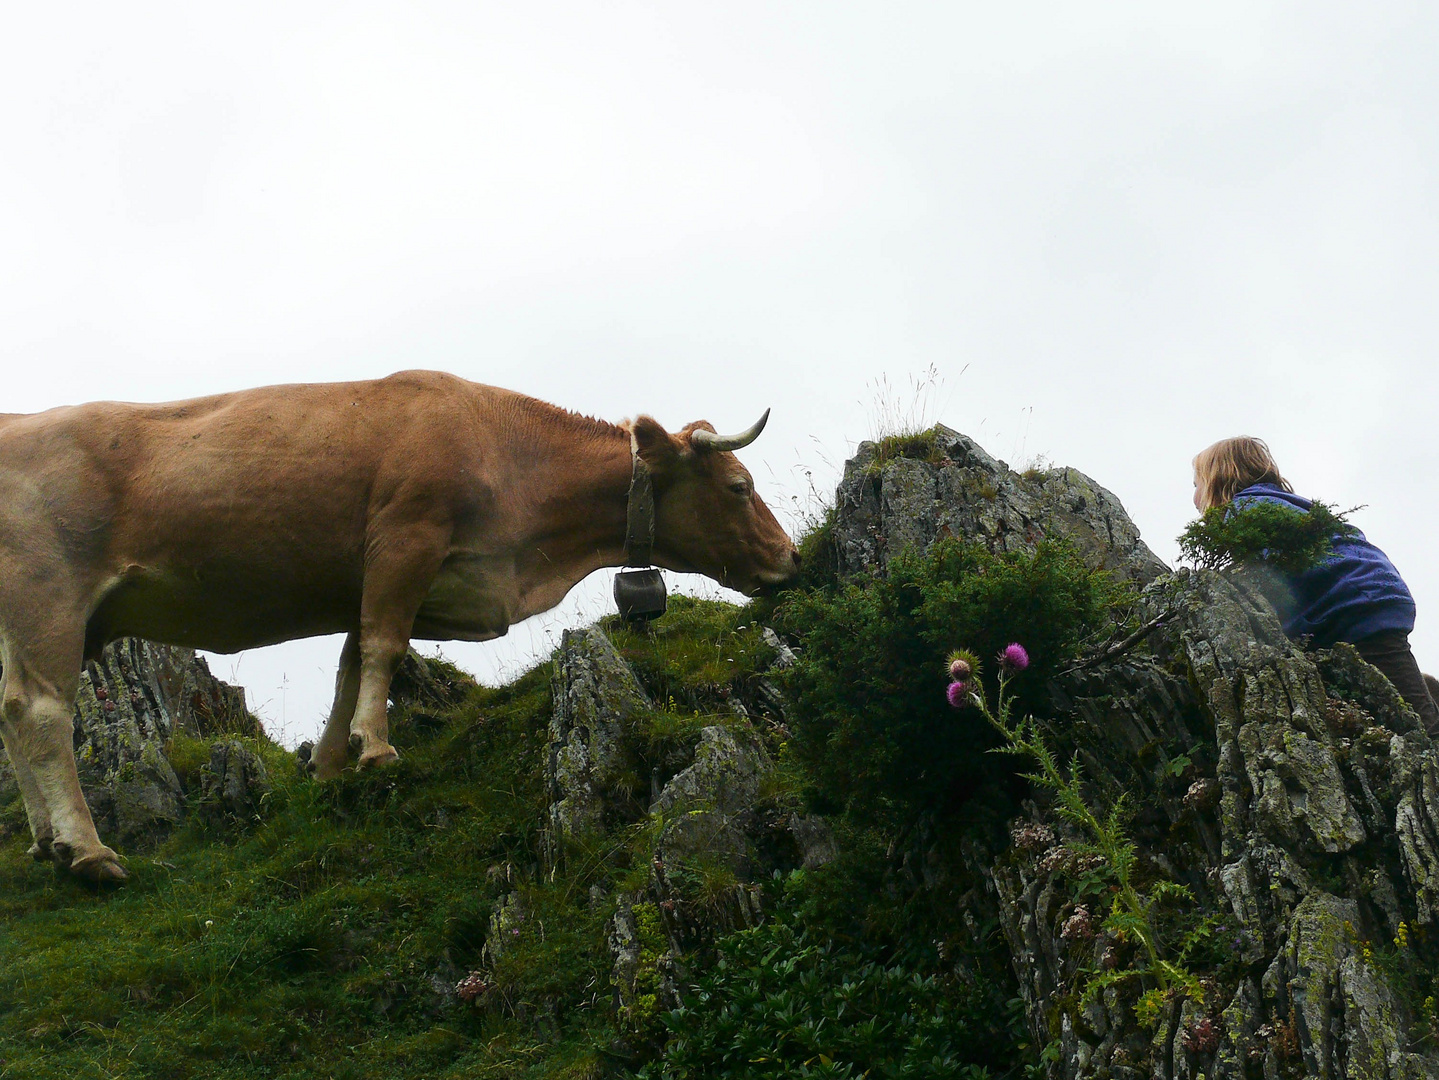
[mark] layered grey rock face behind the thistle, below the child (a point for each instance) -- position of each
(1303, 828)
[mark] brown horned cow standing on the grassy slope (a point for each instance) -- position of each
(414, 507)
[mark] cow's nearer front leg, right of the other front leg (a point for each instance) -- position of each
(395, 587)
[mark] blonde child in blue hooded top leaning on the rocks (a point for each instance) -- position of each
(1355, 596)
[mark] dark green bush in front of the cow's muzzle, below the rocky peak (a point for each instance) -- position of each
(870, 721)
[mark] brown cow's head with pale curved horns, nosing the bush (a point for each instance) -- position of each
(709, 518)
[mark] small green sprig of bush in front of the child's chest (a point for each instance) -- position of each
(1284, 539)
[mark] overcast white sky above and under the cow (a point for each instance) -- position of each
(1117, 231)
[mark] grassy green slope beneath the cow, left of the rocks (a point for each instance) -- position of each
(307, 947)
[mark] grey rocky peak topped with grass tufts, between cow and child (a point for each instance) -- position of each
(889, 504)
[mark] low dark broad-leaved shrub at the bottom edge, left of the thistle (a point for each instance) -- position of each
(779, 1005)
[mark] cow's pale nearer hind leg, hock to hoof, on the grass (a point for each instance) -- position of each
(37, 715)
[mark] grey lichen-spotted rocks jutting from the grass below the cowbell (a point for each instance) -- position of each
(710, 839)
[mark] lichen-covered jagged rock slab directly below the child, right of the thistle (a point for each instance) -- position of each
(1327, 826)
